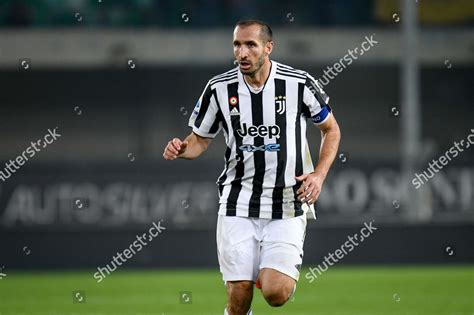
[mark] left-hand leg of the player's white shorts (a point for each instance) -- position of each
(237, 248)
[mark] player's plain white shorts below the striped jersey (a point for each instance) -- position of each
(246, 245)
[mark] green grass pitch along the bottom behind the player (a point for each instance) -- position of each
(338, 291)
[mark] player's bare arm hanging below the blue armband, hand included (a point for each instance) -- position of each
(313, 182)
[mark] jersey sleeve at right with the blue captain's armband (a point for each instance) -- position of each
(316, 101)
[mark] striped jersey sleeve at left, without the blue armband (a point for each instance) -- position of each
(204, 119)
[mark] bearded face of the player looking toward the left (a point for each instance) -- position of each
(249, 49)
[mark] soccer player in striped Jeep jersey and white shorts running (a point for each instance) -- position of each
(269, 185)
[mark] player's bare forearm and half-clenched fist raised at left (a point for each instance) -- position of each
(192, 147)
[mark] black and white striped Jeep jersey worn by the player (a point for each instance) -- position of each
(265, 133)
